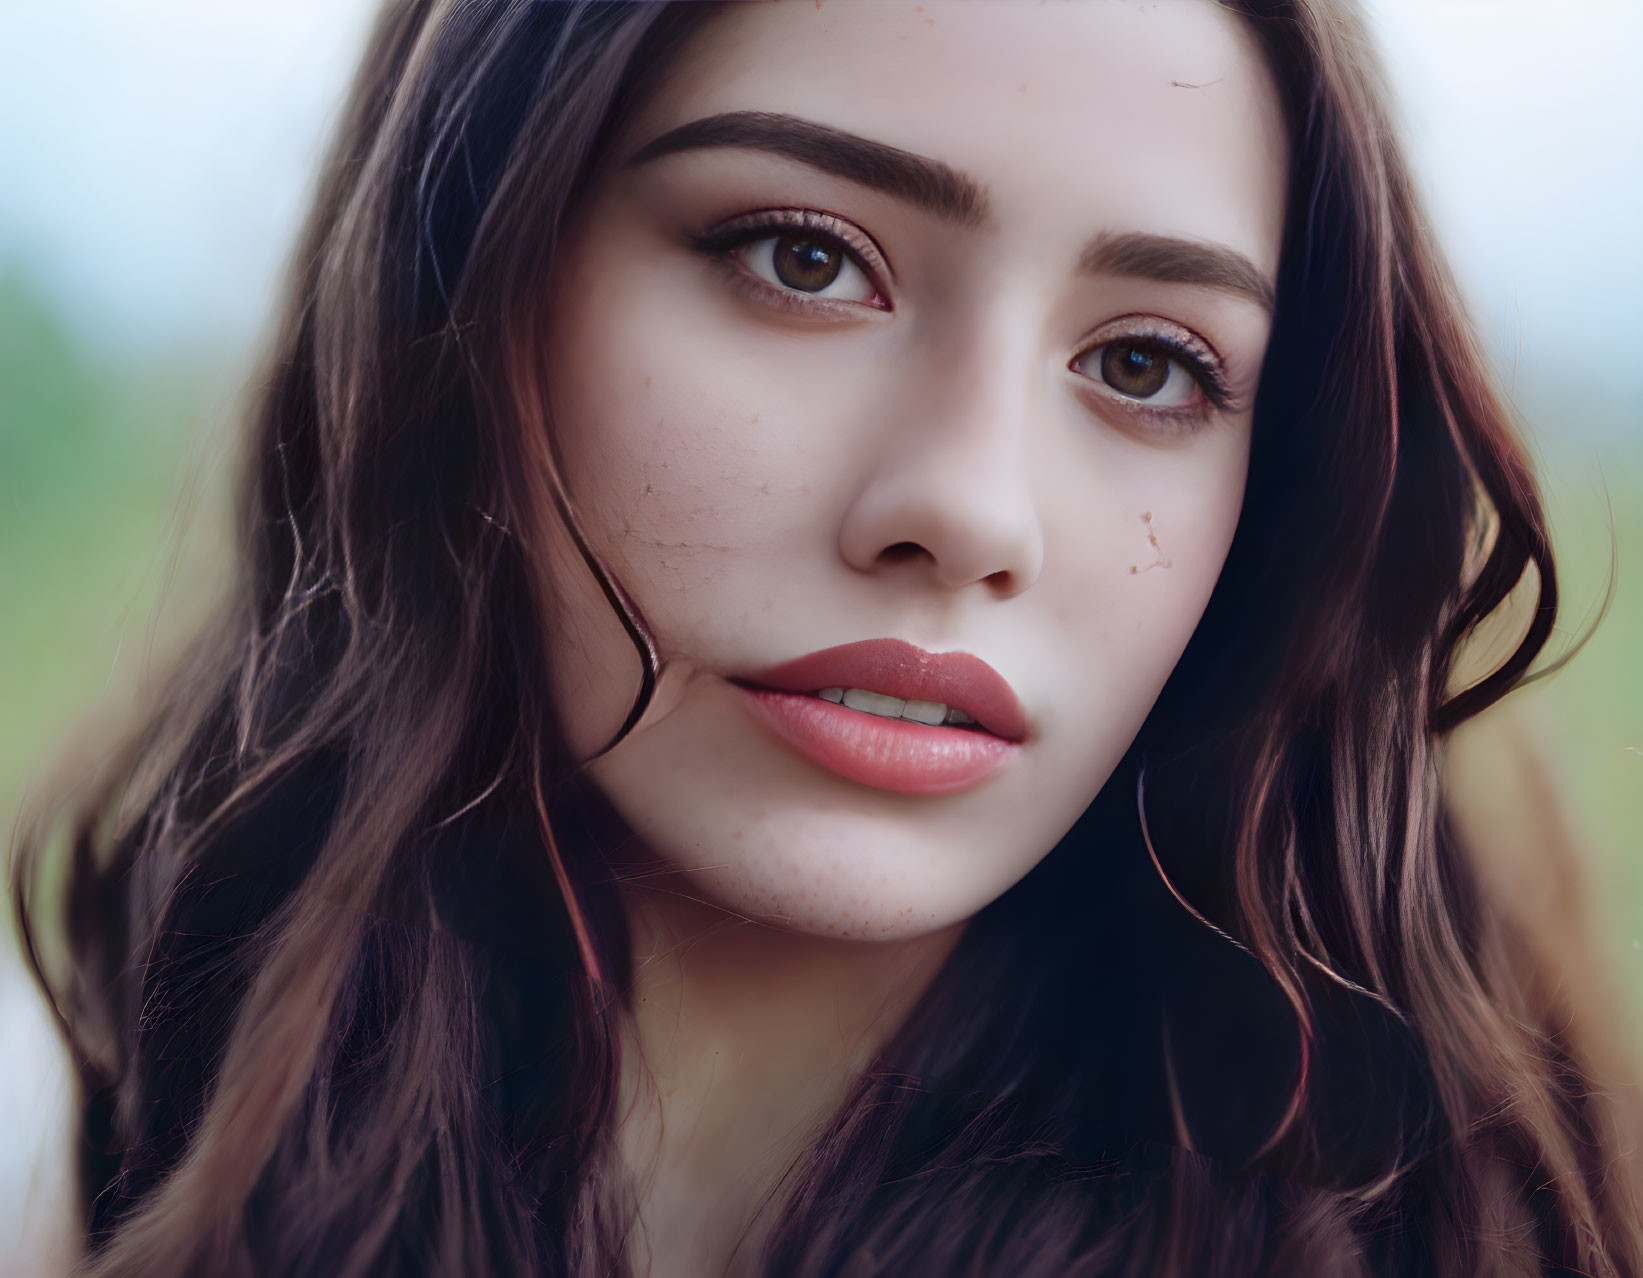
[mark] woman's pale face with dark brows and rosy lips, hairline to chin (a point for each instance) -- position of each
(921, 323)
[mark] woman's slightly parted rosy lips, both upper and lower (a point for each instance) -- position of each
(964, 720)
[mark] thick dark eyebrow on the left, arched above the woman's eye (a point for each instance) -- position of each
(918, 180)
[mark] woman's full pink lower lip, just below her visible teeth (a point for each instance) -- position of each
(888, 755)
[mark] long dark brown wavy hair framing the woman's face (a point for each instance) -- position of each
(339, 952)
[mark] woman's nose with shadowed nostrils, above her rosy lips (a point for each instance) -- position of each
(950, 492)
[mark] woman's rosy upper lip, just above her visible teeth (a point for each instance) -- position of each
(900, 669)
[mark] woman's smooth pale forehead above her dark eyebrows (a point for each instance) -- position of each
(1072, 116)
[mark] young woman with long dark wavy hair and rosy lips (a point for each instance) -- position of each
(847, 622)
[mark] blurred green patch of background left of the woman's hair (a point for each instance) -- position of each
(98, 464)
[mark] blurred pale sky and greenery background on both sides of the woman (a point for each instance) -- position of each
(155, 157)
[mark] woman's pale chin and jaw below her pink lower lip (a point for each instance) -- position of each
(727, 817)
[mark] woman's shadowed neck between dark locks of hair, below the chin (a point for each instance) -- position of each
(742, 1041)
